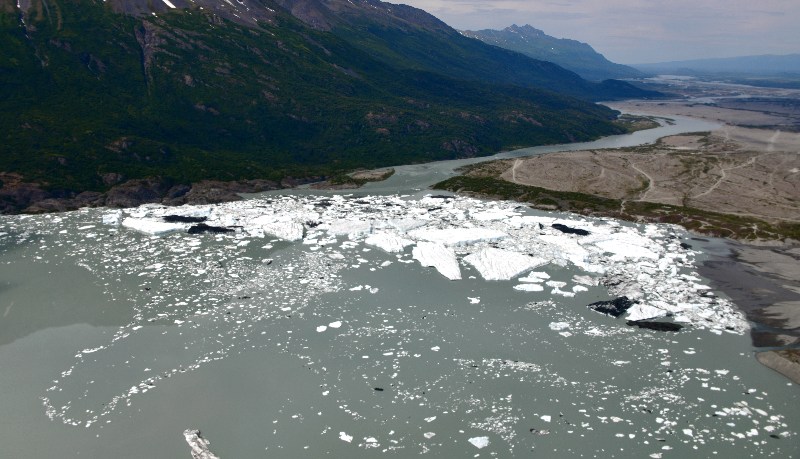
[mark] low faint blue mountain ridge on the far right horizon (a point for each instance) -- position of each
(765, 65)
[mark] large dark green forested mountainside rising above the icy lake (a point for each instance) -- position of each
(99, 93)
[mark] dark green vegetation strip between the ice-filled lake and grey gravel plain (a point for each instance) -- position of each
(696, 220)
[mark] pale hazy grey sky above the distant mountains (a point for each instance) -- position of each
(640, 31)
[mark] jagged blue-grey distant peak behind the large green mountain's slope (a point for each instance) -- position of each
(570, 54)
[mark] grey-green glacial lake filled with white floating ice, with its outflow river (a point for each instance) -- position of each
(339, 343)
